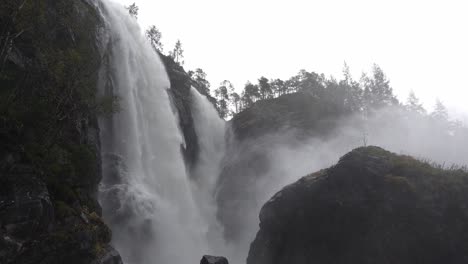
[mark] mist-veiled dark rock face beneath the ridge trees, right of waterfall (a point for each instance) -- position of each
(254, 133)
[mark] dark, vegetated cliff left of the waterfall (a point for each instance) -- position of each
(49, 137)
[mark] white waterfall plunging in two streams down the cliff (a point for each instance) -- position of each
(147, 196)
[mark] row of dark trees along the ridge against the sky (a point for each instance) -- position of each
(371, 91)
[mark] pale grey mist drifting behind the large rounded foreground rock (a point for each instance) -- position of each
(285, 157)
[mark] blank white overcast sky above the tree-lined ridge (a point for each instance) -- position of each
(420, 44)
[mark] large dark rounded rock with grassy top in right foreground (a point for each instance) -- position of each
(372, 207)
